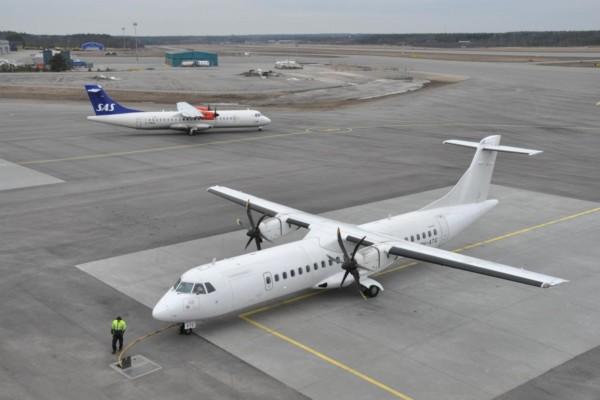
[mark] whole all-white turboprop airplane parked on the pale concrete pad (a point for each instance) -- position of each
(325, 259)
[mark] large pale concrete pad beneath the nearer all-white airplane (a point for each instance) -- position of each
(435, 332)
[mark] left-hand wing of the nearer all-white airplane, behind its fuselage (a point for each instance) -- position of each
(290, 215)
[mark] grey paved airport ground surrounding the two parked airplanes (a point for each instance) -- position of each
(128, 191)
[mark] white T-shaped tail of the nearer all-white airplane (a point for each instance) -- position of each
(474, 185)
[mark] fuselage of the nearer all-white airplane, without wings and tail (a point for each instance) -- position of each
(247, 280)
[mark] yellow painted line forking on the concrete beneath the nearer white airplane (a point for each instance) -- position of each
(246, 316)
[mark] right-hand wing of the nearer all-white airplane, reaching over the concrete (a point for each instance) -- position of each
(467, 263)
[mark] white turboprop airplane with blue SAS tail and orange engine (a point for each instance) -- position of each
(187, 117)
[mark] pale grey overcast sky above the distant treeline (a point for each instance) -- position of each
(239, 17)
